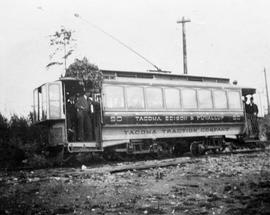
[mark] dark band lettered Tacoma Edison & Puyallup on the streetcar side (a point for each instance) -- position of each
(170, 119)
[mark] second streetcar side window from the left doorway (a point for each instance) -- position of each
(135, 97)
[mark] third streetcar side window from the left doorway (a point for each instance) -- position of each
(154, 97)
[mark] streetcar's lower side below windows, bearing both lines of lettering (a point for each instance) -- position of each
(119, 126)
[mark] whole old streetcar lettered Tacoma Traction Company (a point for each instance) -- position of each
(144, 112)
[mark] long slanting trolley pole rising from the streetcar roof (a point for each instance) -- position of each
(117, 40)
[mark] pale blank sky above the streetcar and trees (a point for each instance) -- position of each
(225, 38)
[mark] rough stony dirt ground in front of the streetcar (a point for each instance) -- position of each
(224, 184)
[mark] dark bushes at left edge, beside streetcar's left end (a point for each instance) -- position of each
(21, 140)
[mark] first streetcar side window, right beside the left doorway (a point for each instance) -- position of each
(114, 97)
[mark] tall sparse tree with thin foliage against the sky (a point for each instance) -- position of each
(62, 41)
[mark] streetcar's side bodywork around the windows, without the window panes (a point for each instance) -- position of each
(124, 124)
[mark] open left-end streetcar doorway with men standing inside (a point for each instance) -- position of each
(82, 112)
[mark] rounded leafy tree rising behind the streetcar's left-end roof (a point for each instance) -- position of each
(88, 73)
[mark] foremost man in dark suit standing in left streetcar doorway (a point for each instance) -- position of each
(83, 107)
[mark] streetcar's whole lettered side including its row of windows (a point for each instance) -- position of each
(166, 110)
